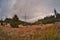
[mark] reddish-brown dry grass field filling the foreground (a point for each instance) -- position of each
(33, 32)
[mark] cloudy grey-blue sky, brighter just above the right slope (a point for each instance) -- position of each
(32, 9)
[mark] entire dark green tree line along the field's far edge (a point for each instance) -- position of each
(14, 21)
